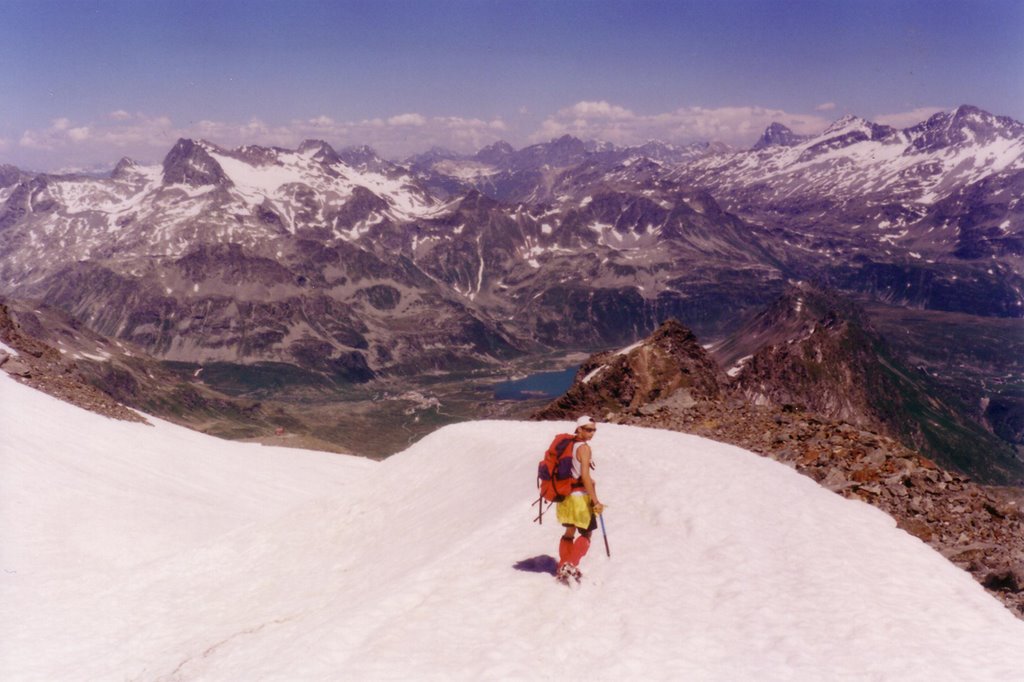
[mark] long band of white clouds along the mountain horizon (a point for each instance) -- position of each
(148, 138)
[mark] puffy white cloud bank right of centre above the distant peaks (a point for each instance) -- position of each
(737, 125)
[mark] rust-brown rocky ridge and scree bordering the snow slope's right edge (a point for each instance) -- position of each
(978, 528)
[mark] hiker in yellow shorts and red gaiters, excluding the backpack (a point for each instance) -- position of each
(580, 509)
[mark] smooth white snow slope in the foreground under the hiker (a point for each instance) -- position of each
(289, 566)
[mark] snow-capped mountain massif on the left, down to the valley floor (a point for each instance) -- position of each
(246, 255)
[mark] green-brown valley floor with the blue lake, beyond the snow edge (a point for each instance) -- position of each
(388, 415)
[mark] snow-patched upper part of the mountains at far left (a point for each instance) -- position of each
(143, 212)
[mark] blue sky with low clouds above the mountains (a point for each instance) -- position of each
(87, 82)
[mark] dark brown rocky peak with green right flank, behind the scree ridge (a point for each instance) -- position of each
(818, 351)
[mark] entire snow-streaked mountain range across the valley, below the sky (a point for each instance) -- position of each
(286, 270)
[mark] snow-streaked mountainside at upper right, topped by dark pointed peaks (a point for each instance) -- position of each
(871, 189)
